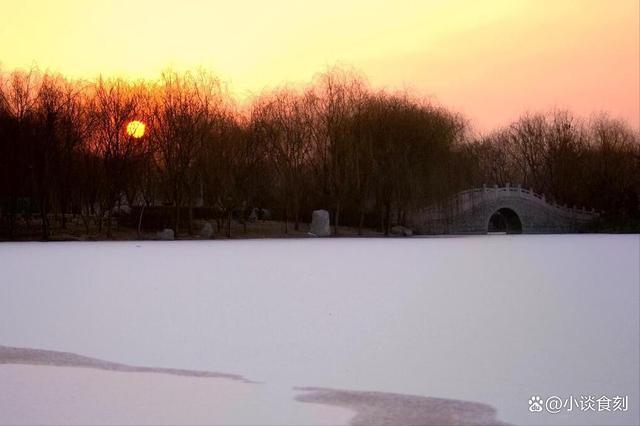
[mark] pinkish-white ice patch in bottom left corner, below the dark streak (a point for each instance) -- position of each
(83, 396)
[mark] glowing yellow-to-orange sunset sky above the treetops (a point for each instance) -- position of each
(489, 59)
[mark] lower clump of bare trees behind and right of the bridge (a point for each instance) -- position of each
(591, 163)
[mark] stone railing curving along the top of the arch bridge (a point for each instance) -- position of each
(468, 199)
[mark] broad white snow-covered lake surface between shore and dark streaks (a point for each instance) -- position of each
(490, 319)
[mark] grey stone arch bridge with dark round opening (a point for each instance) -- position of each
(510, 209)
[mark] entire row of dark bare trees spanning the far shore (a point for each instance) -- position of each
(368, 156)
